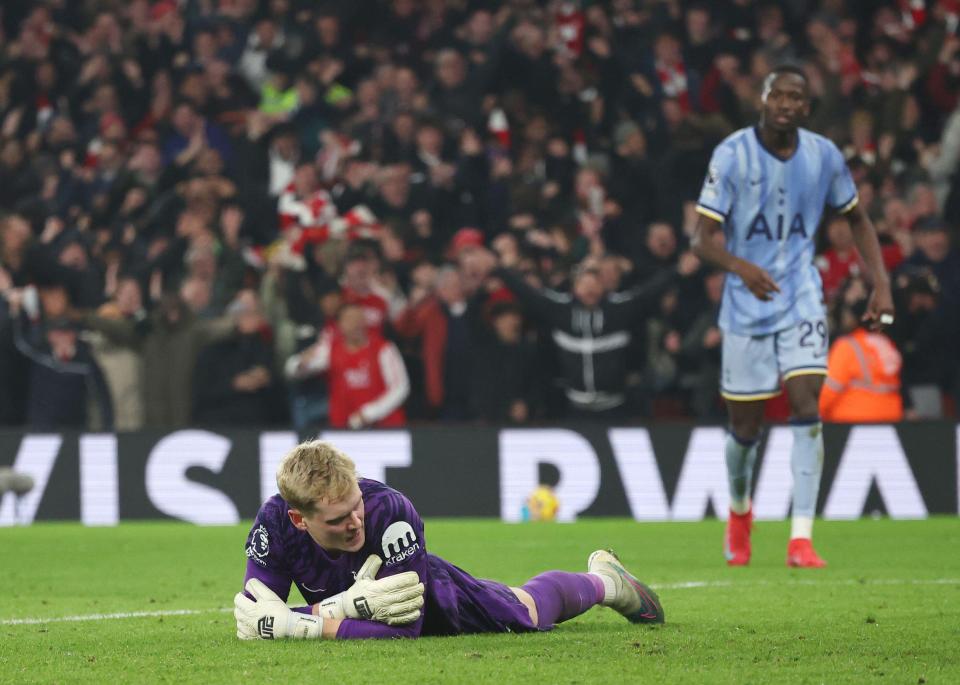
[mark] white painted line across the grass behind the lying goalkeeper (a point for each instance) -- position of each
(686, 585)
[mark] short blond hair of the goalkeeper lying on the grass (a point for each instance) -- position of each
(312, 472)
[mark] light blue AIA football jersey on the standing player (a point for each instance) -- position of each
(770, 209)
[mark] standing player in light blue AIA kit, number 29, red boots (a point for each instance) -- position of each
(760, 206)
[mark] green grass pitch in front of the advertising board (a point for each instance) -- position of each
(887, 609)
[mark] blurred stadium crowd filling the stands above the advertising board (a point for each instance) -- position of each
(235, 212)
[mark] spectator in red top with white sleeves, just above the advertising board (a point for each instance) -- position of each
(368, 382)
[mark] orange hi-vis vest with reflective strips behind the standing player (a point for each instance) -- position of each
(863, 380)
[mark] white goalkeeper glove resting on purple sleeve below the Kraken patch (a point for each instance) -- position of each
(394, 600)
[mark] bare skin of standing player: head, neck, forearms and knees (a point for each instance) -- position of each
(784, 105)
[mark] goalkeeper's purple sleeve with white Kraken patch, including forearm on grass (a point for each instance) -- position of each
(398, 536)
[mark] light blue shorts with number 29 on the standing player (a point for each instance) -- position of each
(753, 366)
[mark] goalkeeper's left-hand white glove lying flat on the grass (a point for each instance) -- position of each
(269, 617)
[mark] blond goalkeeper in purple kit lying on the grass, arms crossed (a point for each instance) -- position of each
(330, 532)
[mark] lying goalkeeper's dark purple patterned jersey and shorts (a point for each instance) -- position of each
(454, 601)
